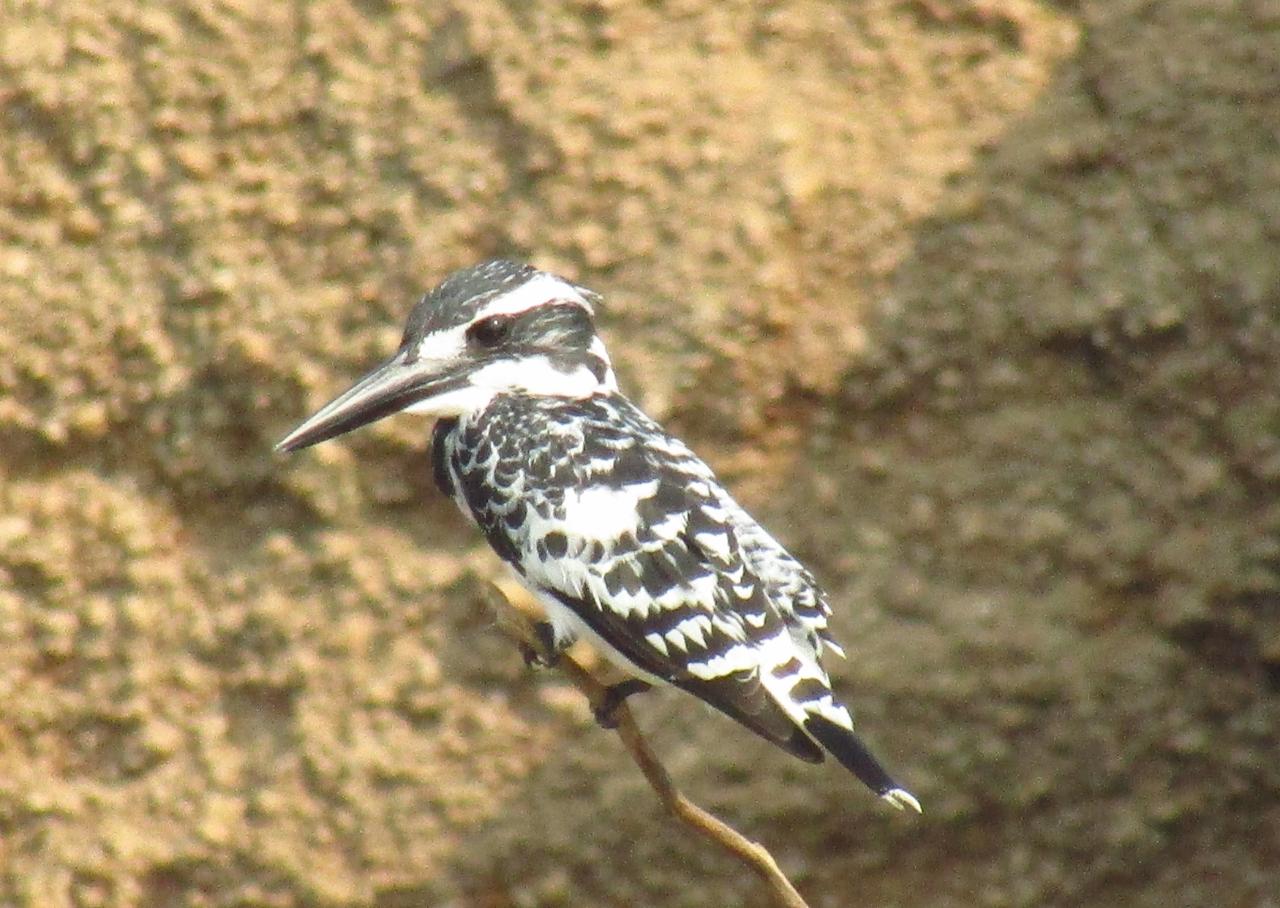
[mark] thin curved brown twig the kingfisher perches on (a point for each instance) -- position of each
(520, 628)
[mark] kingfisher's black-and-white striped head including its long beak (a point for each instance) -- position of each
(486, 331)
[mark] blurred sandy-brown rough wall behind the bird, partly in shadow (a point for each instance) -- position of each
(976, 303)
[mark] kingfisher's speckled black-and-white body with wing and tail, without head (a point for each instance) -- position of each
(628, 537)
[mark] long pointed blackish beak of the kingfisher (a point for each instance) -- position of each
(387, 390)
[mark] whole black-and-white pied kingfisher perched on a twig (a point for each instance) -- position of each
(619, 531)
